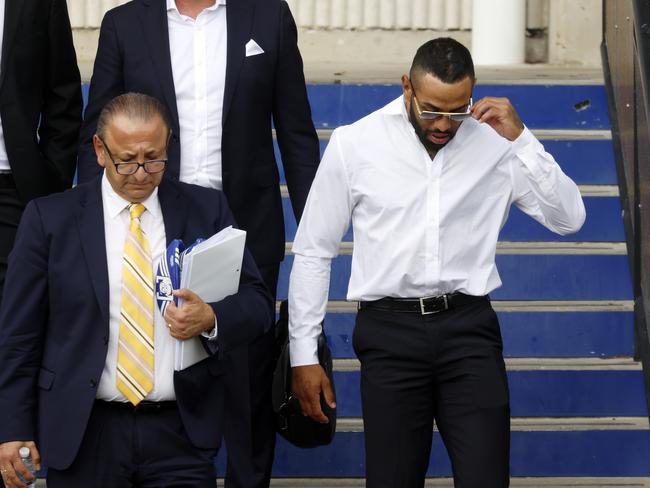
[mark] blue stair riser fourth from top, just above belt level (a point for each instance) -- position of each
(524, 277)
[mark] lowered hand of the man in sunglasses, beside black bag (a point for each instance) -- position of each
(307, 383)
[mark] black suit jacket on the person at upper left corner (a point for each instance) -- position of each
(40, 96)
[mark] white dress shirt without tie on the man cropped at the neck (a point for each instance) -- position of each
(198, 49)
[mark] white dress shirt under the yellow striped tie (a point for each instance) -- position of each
(116, 227)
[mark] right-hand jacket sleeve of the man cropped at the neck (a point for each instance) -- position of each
(297, 137)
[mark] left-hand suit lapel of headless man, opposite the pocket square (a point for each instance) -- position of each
(153, 15)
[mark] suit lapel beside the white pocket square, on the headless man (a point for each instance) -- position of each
(239, 17)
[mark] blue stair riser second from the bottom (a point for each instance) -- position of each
(542, 393)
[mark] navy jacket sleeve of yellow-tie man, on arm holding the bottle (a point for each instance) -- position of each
(23, 320)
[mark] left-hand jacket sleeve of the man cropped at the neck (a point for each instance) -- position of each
(106, 83)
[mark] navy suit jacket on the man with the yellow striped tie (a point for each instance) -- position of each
(55, 312)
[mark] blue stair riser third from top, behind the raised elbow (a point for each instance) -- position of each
(604, 223)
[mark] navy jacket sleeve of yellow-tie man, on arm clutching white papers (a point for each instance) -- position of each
(246, 315)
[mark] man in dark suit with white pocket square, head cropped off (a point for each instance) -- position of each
(225, 71)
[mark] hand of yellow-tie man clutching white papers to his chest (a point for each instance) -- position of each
(191, 319)
